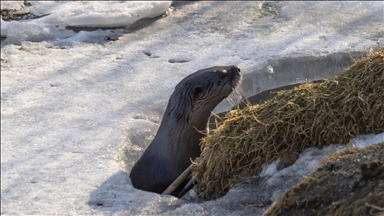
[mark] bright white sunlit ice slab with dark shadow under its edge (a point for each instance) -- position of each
(99, 14)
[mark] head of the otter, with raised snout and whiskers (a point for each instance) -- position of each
(199, 93)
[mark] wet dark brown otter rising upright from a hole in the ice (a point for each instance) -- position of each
(183, 125)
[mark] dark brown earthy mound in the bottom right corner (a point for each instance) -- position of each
(350, 182)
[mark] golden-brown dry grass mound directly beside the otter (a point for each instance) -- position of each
(310, 115)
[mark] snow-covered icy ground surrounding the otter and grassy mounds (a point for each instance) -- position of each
(79, 105)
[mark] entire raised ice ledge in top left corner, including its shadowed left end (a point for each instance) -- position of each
(54, 16)
